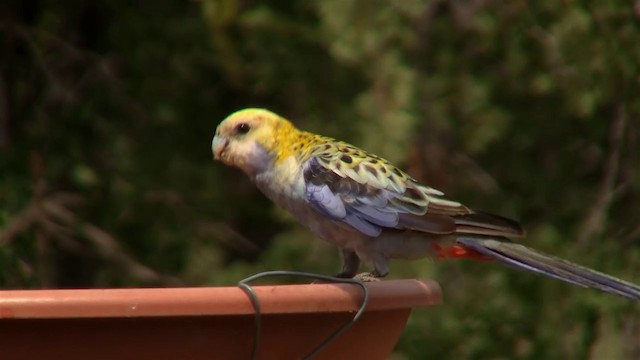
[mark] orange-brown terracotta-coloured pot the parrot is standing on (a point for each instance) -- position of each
(207, 323)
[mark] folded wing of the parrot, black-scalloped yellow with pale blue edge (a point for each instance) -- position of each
(370, 194)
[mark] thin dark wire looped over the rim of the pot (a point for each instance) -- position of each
(243, 284)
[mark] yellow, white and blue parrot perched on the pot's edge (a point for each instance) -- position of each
(372, 210)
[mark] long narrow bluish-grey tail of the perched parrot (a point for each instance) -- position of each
(522, 257)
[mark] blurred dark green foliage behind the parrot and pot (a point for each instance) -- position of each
(530, 109)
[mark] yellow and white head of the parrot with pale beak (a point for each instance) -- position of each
(252, 139)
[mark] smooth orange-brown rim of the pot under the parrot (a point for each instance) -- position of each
(212, 301)
